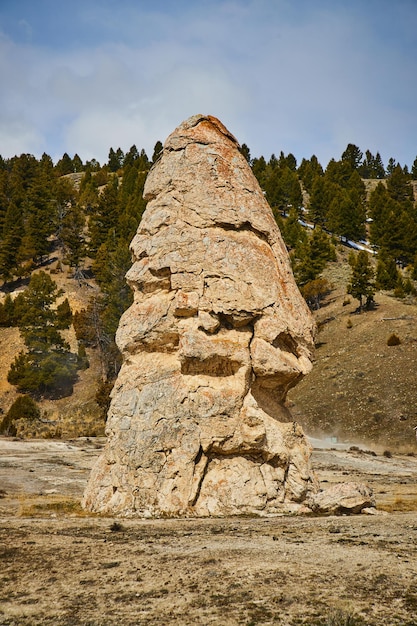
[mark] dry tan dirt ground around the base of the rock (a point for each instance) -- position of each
(61, 567)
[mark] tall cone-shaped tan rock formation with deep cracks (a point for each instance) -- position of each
(217, 335)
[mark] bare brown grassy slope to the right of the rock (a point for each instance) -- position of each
(361, 390)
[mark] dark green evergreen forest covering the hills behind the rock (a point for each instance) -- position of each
(86, 214)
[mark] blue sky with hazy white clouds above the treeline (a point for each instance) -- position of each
(299, 76)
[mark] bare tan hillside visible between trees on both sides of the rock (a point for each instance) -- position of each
(360, 390)
